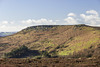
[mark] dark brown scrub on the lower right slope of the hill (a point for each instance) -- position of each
(87, 53)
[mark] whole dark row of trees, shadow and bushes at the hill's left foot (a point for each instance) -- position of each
(23, 51)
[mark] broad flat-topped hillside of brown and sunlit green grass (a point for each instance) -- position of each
(57, 40)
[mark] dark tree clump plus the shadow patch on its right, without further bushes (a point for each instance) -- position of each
(22, 52)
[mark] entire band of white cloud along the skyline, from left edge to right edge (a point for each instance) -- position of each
(90, 17)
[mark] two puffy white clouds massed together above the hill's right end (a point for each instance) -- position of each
(90, 17)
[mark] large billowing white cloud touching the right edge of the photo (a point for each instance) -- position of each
(91, 18)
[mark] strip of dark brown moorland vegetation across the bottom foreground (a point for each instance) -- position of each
(51, 62)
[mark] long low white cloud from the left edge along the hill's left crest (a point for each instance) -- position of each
(17, 26)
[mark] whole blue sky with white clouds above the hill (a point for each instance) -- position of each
(16, 15)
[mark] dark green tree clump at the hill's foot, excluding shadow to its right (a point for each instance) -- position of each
(18, 53)
